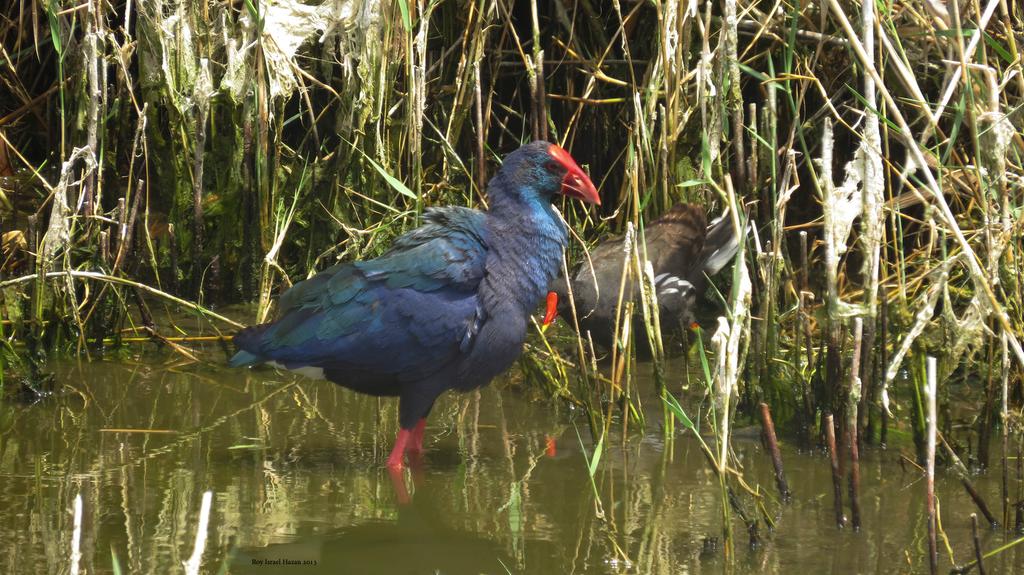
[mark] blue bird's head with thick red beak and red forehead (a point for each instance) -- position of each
(546, 170)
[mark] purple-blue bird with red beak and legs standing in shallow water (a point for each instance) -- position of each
(447, 307)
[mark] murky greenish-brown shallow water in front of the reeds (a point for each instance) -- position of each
(295, 468)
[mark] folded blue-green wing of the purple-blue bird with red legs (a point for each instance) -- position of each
(406, 314)
